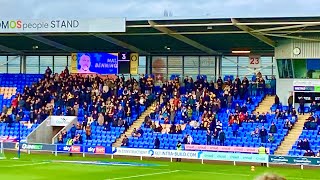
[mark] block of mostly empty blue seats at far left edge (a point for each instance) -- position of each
(12, 85)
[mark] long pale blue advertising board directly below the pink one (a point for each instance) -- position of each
(237, 157)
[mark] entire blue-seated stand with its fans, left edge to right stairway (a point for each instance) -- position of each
(199, 112)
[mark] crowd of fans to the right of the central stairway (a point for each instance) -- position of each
(205, 100)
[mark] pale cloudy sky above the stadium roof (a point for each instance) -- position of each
(135, 9)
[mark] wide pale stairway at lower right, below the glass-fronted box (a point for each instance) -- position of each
(292, 137)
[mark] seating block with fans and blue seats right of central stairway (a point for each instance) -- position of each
(196, 117)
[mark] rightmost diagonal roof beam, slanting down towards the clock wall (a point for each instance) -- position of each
(258, 35)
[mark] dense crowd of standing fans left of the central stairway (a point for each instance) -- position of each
(104, 101)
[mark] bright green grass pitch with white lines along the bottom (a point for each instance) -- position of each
(49, 167)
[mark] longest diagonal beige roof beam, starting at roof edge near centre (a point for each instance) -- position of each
(184, 39)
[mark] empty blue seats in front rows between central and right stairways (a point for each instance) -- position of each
(244, 139)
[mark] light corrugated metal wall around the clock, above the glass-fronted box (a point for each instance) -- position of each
(308, 49)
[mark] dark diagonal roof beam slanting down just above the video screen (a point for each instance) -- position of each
(120, 43)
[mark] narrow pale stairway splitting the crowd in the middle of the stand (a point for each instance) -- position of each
(136, 124)
